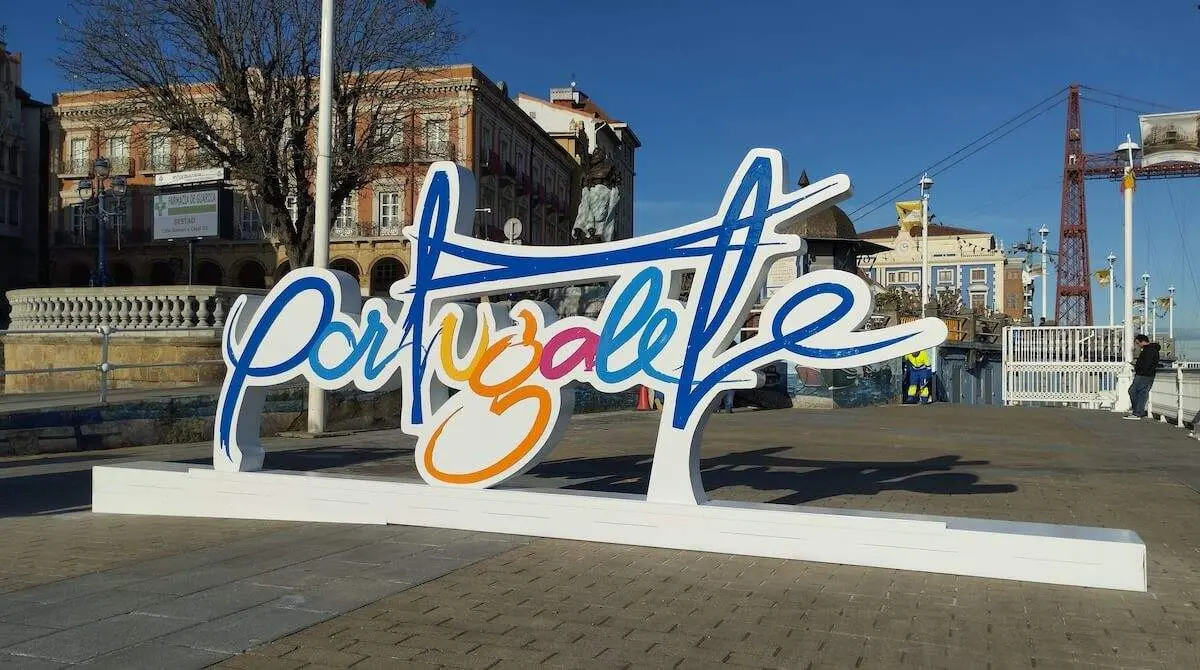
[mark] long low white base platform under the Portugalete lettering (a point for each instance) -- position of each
(1036, 553)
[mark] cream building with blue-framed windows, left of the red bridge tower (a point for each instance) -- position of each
(967, 264)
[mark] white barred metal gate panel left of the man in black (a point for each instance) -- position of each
(1063, 366)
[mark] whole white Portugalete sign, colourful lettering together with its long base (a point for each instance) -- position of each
(514, 370)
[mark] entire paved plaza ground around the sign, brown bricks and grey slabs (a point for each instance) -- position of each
(97, 591)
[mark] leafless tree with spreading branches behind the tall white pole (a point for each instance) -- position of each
(238, 80)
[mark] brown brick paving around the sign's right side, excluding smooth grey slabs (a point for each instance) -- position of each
(567, 605)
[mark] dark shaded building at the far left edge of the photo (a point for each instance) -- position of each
(23, 186)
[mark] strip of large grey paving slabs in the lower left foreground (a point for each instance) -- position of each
(195, 608)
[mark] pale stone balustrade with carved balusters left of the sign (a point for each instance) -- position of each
(136, 308)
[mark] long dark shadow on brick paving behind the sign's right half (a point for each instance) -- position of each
(799, 481)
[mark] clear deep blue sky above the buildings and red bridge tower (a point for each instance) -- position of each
(874, 89)
